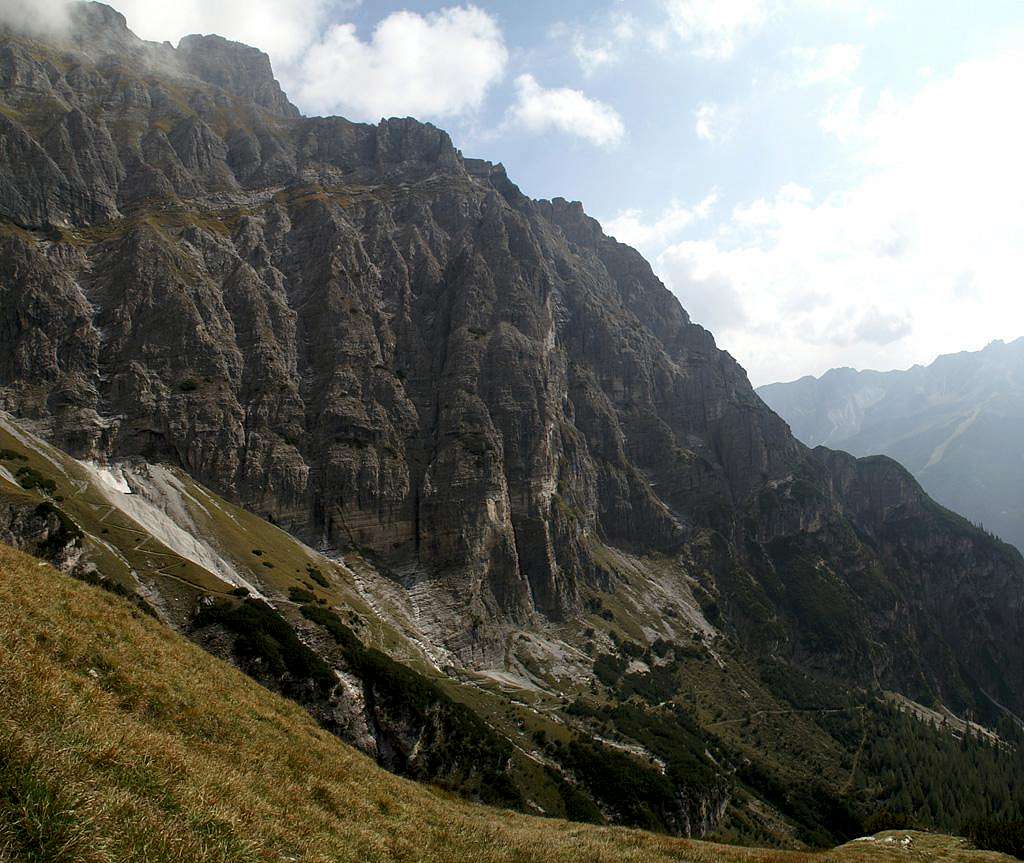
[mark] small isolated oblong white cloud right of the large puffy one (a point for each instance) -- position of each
(564, 110)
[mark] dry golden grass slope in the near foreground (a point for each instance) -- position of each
(121, 742)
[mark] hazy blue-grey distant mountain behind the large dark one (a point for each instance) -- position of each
(957, 424)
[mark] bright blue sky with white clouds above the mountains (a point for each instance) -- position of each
(821, 183)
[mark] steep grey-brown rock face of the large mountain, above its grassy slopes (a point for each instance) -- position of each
(375, 342)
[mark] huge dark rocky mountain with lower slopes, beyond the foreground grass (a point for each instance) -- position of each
(453, 470)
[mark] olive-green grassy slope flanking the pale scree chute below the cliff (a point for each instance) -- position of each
(111, 539)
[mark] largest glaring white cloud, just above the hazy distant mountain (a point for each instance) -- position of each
(918, 254)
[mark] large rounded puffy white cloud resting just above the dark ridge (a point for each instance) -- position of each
(438, 65)
